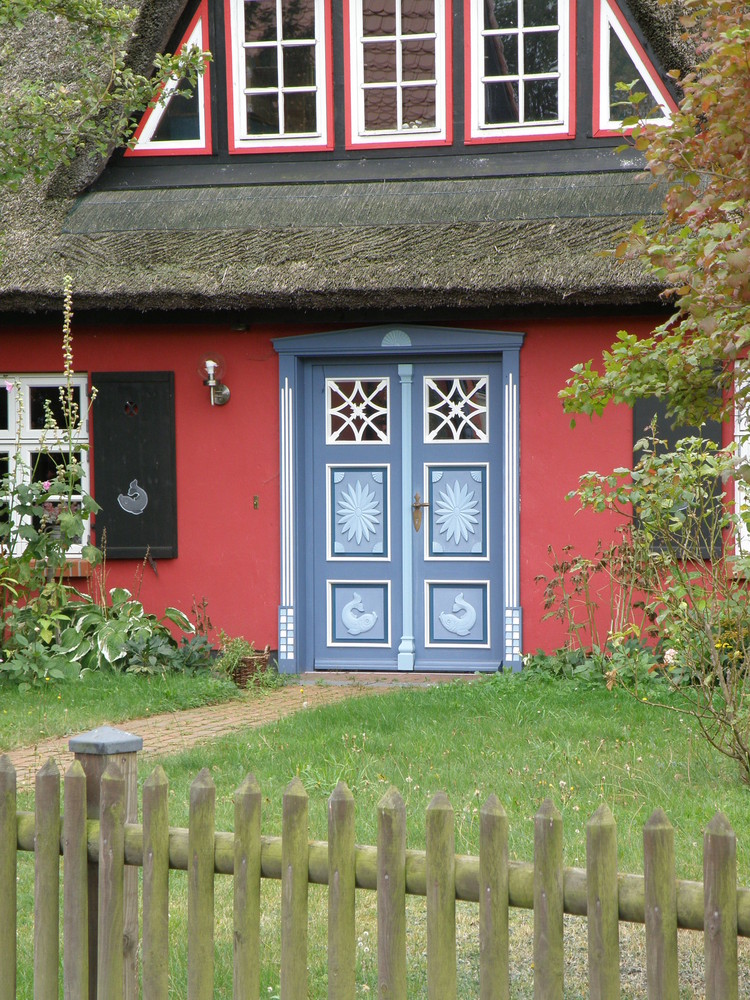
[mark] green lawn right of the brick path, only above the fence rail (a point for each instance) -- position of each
(525, 740)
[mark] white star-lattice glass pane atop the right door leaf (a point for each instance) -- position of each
(456, 409)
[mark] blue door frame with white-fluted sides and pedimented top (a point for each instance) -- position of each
(394, 343)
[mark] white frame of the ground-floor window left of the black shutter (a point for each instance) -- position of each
(21, 437)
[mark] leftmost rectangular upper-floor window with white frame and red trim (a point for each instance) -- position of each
(278, 63)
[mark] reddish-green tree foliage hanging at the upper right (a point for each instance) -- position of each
(697, 359)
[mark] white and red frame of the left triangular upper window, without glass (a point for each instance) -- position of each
(145, 144)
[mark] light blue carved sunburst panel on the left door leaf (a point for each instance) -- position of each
(358, 512)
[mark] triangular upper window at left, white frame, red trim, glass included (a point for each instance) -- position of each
(158, 131)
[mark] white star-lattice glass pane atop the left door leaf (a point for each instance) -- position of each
(357, 411)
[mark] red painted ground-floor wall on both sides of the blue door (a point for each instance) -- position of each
(228, 550)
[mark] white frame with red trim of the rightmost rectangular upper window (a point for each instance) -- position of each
(563, 127)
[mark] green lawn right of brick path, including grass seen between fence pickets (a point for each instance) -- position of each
(522, 737)
